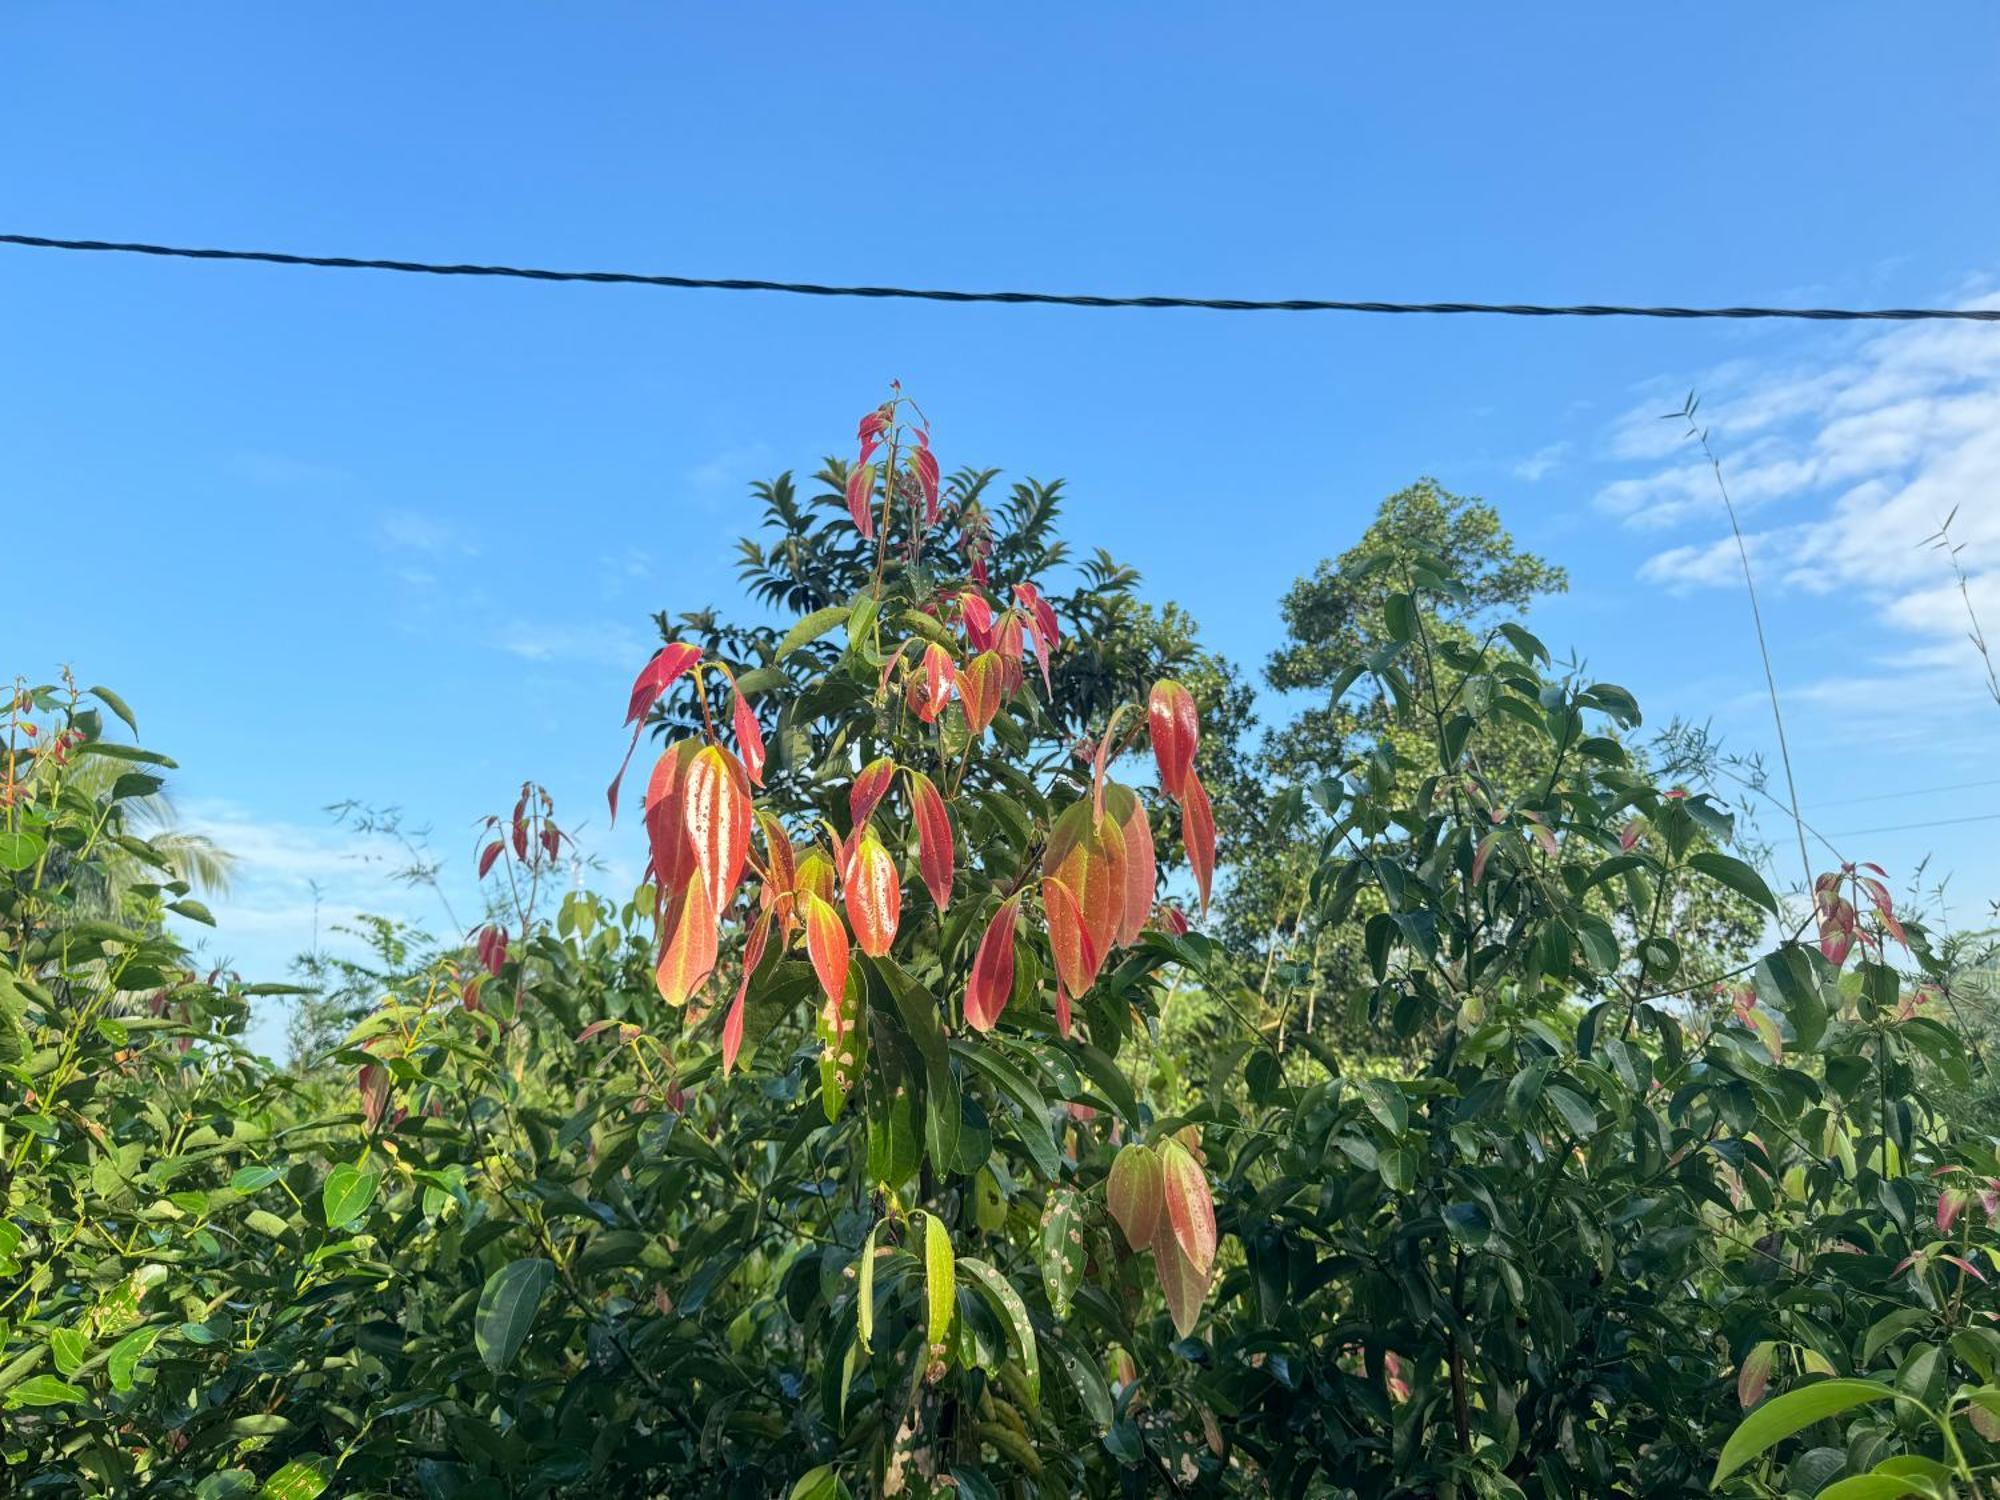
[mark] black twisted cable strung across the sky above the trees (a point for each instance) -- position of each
(1043, 299)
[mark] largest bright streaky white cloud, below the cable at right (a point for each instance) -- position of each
(1839, 473)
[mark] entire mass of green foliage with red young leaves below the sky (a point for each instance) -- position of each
(1529, 1181)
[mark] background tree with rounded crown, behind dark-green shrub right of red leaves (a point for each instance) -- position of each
(1341, 621)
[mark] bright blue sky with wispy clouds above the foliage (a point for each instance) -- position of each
(395, 539)
